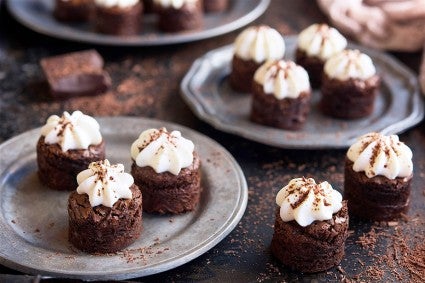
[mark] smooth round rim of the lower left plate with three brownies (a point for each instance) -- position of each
(202, 247)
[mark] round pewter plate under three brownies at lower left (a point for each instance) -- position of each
(34, 220)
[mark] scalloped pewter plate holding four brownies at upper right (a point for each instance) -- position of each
(398, 106)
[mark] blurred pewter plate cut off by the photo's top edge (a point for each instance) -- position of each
(38, 16)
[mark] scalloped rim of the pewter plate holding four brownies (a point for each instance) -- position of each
(415, 116)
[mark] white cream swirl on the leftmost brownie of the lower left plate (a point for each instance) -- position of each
(76, 131)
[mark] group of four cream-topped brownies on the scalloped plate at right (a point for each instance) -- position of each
(281, 89)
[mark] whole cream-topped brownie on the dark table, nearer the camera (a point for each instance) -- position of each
(311, 226)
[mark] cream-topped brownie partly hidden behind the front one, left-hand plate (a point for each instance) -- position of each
(67, 145)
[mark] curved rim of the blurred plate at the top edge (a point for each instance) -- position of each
(168, 39)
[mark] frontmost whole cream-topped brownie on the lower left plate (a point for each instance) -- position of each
(105, 212)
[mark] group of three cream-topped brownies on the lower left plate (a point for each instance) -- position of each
(105, 205)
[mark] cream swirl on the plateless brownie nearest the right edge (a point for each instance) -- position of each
(377, 154)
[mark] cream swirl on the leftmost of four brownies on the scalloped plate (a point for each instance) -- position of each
(259, 43)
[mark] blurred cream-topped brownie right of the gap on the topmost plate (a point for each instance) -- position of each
(179, 15)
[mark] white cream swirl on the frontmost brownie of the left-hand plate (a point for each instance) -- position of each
(105, 183)
